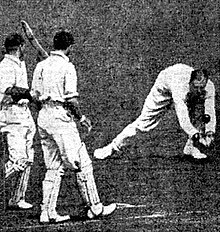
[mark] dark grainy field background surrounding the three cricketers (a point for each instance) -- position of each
(120, 48)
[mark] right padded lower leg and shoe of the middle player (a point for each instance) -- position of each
(88, 189)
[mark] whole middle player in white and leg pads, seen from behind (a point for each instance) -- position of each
(55, 84)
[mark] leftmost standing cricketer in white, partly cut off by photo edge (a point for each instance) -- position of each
(15, 117)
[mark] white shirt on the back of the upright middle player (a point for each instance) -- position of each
(55, 78)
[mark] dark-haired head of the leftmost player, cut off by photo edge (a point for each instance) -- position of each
(13, 43)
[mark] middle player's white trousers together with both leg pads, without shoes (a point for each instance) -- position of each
(62, 145)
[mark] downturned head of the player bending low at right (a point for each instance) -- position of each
(199, 78)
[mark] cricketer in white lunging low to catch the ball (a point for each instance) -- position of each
(186, 88)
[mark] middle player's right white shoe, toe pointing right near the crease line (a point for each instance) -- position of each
(104, 211)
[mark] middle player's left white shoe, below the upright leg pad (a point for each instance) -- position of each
(55, 218)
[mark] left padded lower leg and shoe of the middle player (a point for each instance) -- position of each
(51, 188)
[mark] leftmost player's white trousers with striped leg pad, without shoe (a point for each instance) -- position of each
(20, 129)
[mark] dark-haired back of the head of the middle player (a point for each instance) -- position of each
(62, 40)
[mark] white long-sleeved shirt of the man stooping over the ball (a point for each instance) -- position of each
(172, 85)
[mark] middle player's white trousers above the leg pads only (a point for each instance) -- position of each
(60, 138)
